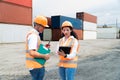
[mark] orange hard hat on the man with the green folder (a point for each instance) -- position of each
(41, 20)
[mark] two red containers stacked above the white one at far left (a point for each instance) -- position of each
(16, 12)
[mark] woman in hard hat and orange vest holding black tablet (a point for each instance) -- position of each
(68, 61)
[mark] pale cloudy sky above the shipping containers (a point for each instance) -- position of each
(107, 11)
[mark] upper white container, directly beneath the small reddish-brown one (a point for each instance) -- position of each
(89, 26)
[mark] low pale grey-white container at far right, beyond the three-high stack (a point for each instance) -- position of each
(106, 33)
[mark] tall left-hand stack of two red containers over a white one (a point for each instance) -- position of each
(15, 20)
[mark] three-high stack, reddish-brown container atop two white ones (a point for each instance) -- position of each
(89, 25)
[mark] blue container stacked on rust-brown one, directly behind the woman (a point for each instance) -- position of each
(57, 22)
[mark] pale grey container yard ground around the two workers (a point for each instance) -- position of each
(98, 60)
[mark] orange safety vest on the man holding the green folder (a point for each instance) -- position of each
(30, 62)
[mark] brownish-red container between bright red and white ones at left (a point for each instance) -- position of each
(14, 14)
